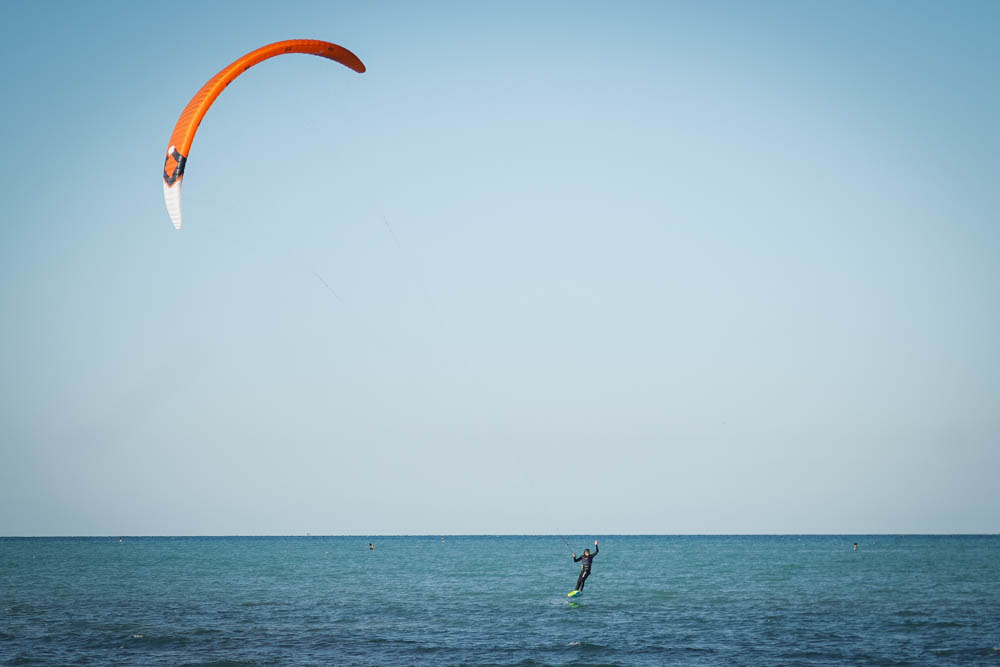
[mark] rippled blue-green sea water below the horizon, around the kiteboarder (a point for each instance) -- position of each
(756, 600)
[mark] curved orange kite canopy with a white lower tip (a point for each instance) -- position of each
(187, 125)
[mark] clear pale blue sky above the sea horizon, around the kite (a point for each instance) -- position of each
(599, 268)
